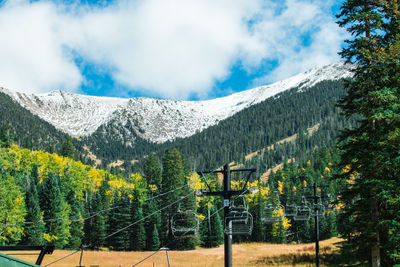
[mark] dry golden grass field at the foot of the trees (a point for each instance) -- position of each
(251, 254)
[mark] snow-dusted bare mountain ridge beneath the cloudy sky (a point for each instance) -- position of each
(153, 119)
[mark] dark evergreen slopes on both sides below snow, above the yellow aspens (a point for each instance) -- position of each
(253, 129)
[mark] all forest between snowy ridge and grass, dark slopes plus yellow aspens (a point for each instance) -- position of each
(70, 204)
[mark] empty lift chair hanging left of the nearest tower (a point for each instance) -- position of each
(184, 222)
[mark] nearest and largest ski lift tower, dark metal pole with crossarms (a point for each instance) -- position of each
(227, 193)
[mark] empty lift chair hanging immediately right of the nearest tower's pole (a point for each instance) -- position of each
(238, 220)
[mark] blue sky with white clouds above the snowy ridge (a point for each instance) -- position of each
(176, 49)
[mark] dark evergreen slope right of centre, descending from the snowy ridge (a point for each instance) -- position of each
(263, 125)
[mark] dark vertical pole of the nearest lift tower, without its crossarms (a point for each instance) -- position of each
(227, 237)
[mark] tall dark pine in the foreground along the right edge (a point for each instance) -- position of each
(371, 150)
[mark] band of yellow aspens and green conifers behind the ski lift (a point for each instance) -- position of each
(53, 199)
